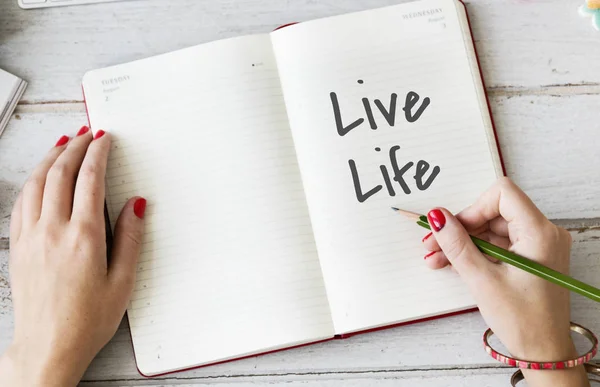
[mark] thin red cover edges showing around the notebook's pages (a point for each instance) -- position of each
(342, 336)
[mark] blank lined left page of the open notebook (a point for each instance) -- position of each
(229, 265)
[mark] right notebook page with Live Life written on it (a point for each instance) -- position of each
(372, 259)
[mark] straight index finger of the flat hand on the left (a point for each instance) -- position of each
(88, 202)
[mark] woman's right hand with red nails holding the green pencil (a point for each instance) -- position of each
(530, 316)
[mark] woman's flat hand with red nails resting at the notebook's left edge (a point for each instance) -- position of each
(68, 301)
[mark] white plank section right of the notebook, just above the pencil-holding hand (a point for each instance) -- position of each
(549, 148)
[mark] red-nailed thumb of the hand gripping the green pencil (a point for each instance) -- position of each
(458, 247)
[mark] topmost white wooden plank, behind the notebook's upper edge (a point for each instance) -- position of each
(521, 44)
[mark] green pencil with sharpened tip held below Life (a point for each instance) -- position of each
(523, 263)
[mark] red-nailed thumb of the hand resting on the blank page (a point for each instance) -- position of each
(128, 234)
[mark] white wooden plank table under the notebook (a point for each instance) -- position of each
(541, 65)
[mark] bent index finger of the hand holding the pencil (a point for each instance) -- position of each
(506, 200)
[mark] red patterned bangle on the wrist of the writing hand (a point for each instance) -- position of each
(545, 365)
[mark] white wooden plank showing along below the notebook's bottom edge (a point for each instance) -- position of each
(443, 344)
